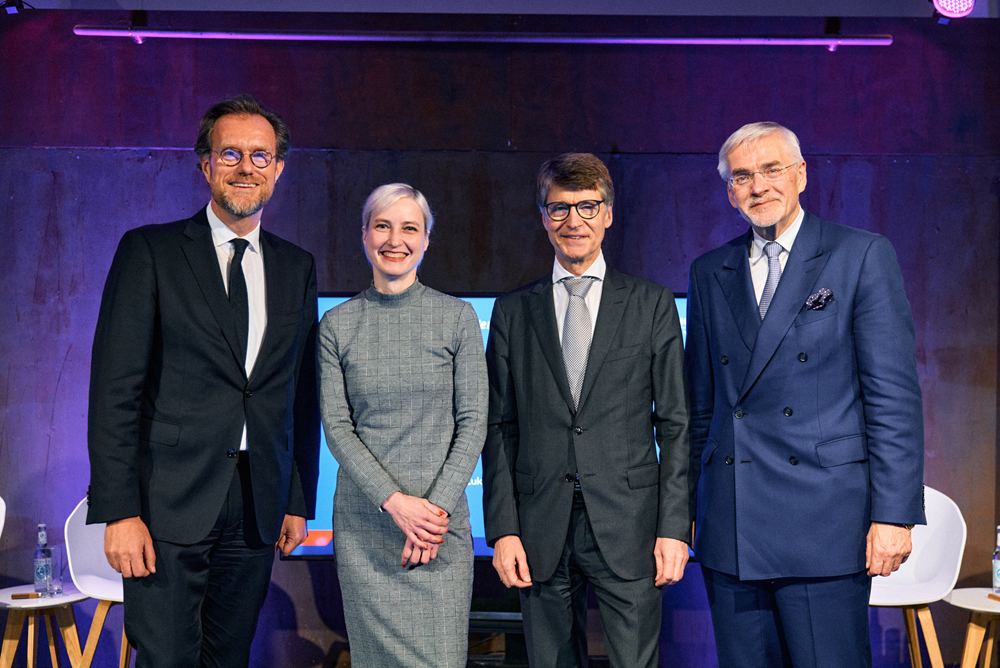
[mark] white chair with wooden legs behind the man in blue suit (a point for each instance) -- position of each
(928, 575)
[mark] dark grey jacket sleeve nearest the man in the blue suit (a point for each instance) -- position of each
(670, 419)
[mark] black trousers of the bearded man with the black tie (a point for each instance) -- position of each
(200, 608)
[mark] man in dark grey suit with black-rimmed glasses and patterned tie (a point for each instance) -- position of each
(584, 364)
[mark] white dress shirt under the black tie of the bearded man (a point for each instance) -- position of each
(253, 272)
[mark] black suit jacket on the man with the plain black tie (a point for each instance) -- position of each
(169, 393)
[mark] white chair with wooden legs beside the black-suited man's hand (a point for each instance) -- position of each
(94, 576)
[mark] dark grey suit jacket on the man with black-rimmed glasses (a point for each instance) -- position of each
(636, 360)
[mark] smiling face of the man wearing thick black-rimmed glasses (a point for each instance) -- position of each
(577, 241)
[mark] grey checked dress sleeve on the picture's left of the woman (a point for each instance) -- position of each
(351, 453)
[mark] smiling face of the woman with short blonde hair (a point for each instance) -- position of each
(395, 240)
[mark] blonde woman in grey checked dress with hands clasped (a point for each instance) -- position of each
(403, 395)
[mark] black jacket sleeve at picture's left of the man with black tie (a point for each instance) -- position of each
(123, 346)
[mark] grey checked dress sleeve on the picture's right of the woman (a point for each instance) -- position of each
(470, 396)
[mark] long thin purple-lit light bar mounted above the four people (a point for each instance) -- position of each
(831, 42)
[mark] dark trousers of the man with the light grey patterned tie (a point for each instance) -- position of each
(555, 611)
